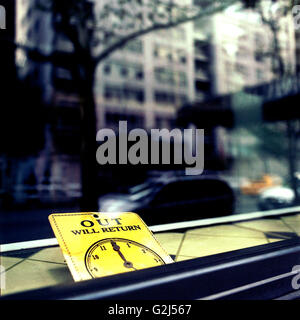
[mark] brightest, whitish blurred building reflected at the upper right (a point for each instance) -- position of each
(239, 48)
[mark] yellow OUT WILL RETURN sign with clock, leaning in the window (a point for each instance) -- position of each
(97, 244)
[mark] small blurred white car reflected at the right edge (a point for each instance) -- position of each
(276, 198)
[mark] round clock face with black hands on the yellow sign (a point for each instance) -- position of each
(117, 255)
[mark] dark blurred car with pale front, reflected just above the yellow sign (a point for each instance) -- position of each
(175, 200)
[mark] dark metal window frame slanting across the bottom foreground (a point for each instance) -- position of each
(261, 272)
